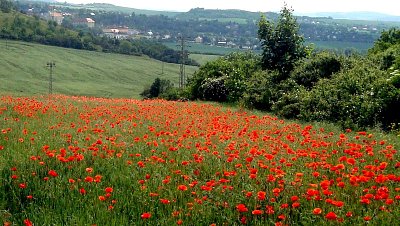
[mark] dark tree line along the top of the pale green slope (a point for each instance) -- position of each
(17, 26)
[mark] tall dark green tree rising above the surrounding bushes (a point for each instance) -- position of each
(281, 43)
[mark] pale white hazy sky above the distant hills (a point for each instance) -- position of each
(300, 6)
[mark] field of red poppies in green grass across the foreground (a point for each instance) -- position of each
(92, 161)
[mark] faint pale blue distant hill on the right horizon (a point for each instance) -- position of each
(356, 16)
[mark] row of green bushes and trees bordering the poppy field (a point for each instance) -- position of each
(294, 81)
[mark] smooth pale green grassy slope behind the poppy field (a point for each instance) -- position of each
(23, 71)
